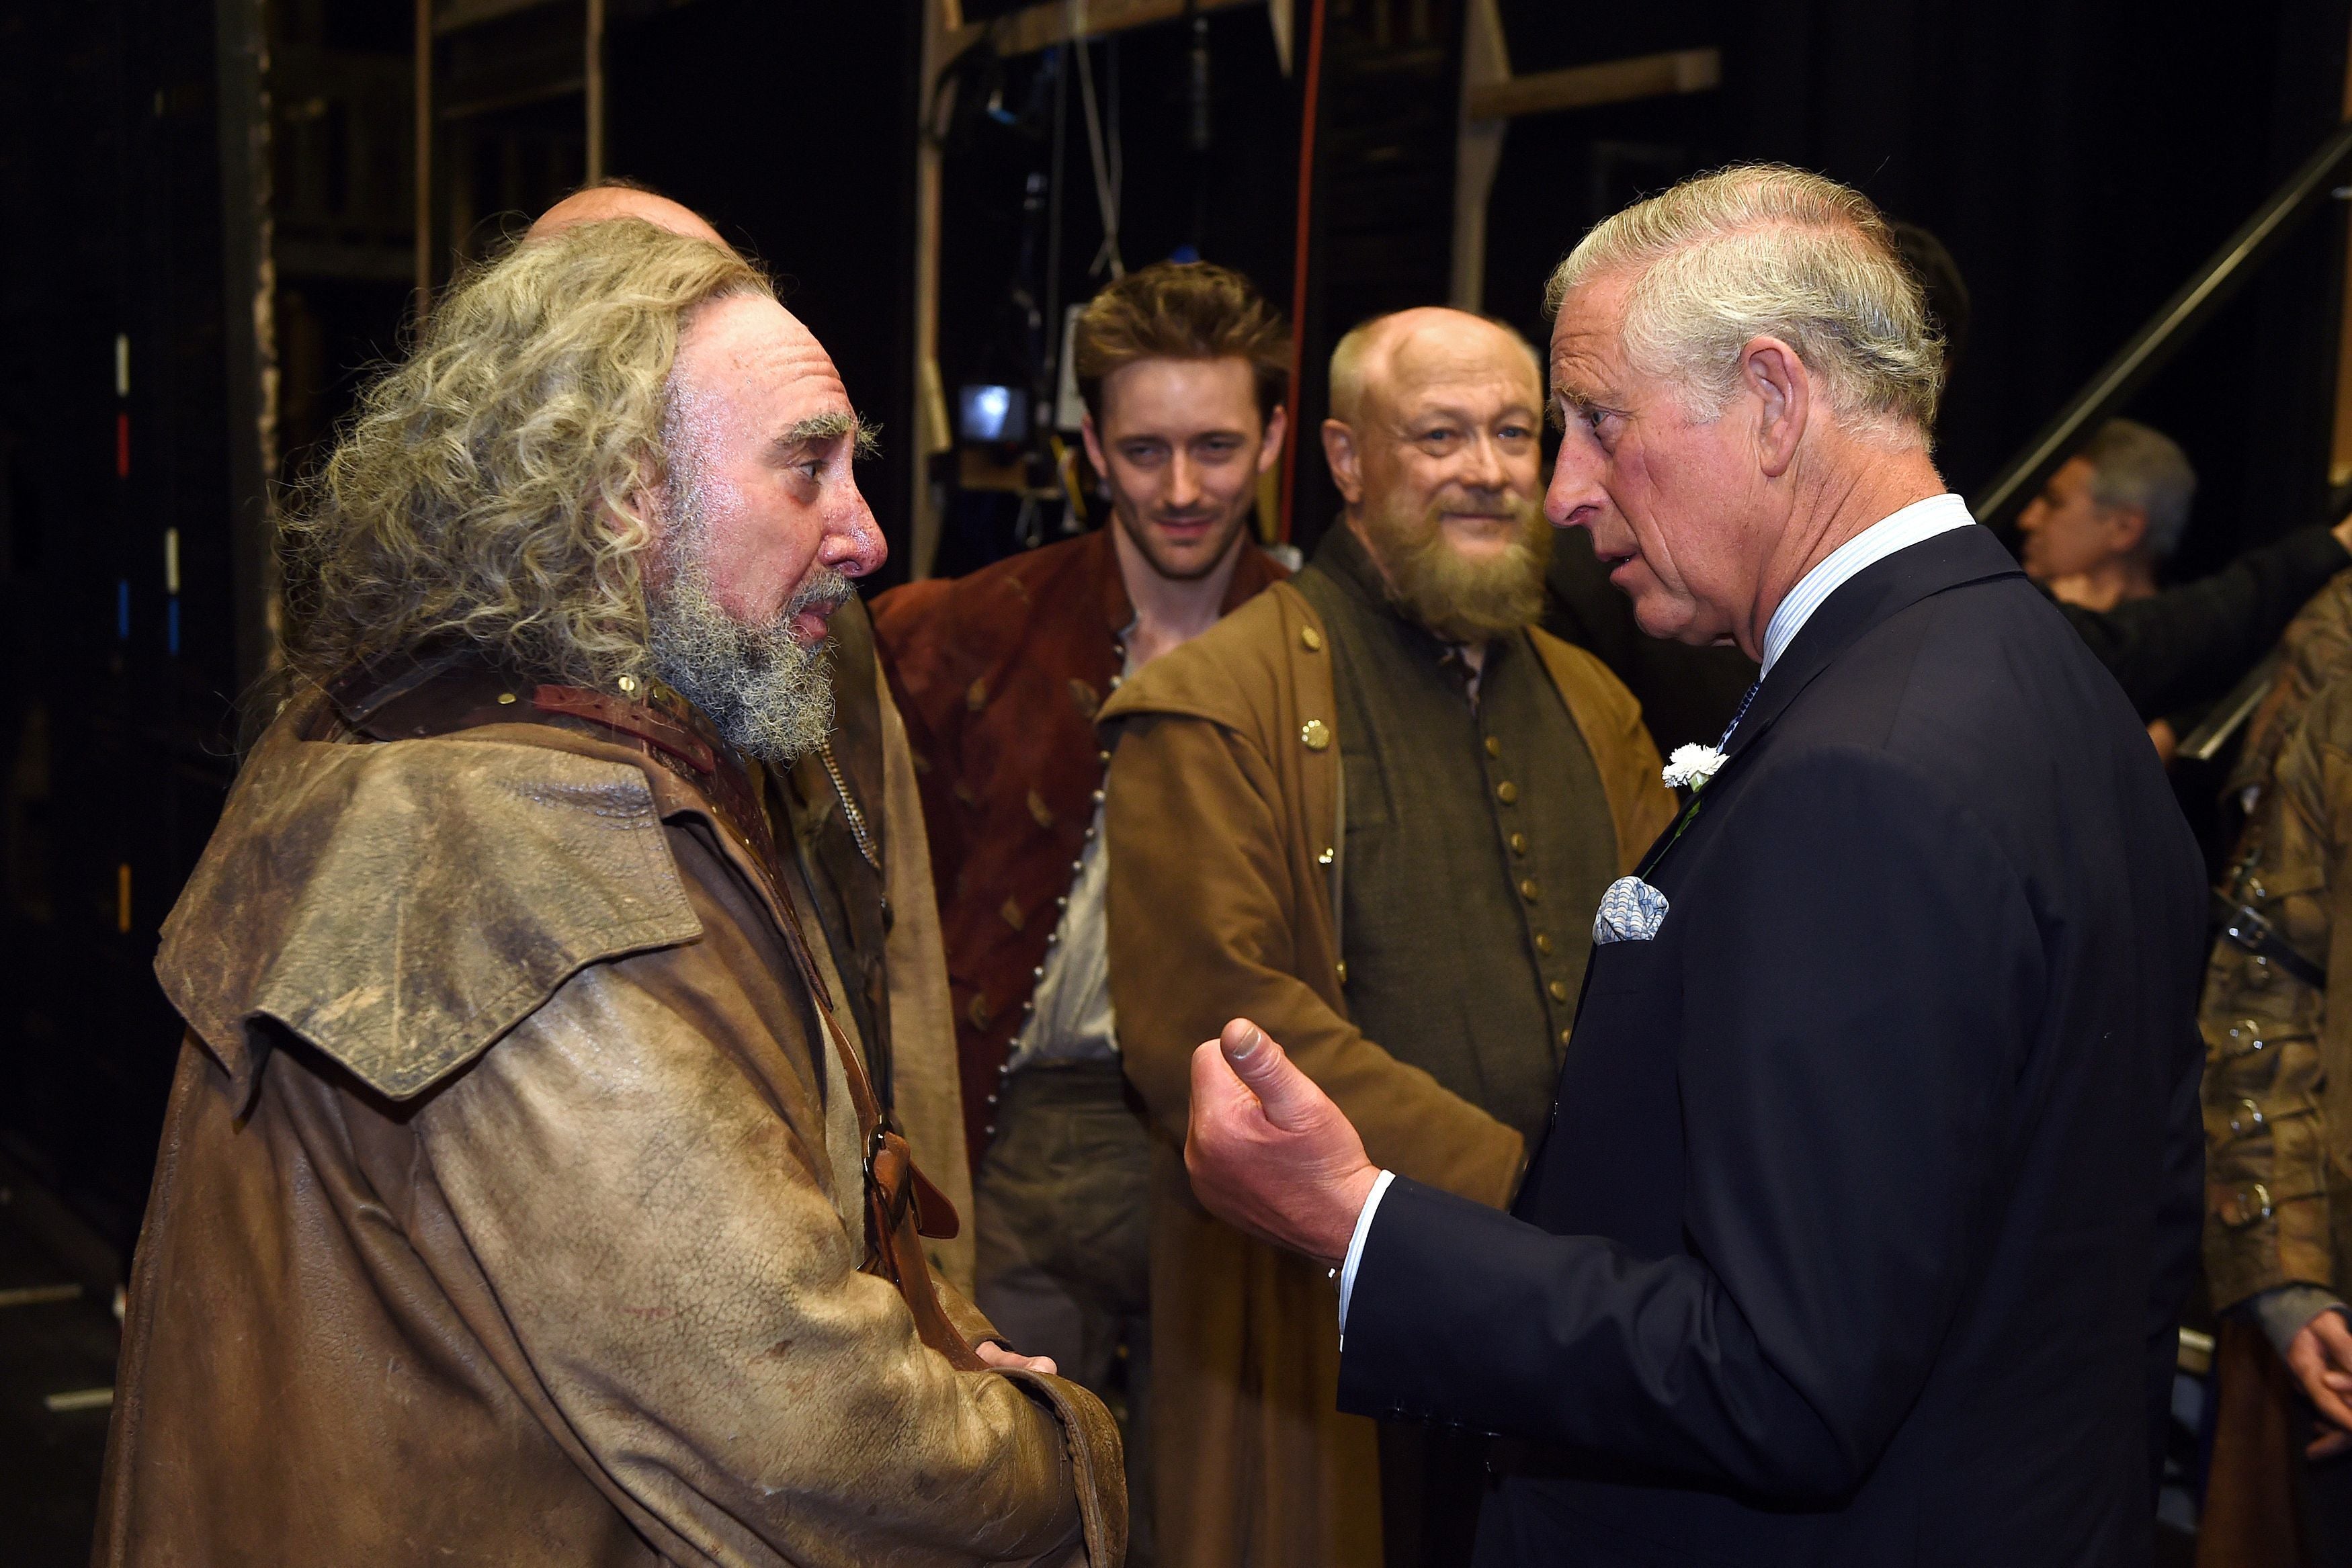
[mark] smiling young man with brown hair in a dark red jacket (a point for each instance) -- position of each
(1184, 373)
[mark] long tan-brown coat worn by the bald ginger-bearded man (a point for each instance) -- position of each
(1224, 800)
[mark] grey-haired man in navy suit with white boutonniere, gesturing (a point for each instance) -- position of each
(1871, 1188)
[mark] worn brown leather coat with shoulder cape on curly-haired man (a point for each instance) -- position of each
(497, 1217)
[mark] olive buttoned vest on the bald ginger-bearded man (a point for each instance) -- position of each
(1478, 843)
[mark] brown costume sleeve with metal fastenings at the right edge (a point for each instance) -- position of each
(2264, 1028)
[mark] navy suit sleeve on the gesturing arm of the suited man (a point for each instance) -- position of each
(1840, 1073)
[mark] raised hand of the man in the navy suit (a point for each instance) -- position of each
(1269, 1153)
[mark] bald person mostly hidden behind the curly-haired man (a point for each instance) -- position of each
(857, 824)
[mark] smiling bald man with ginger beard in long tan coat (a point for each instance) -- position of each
(1379, 805)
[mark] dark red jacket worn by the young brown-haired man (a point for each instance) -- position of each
(1001, 676)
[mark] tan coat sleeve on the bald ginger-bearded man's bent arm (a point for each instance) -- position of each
(1205, 918)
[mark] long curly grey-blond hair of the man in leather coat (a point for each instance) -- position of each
(490, 488)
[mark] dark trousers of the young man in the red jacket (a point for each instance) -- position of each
(1064, 1247)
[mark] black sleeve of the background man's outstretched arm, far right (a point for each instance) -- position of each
(2193, 643)
